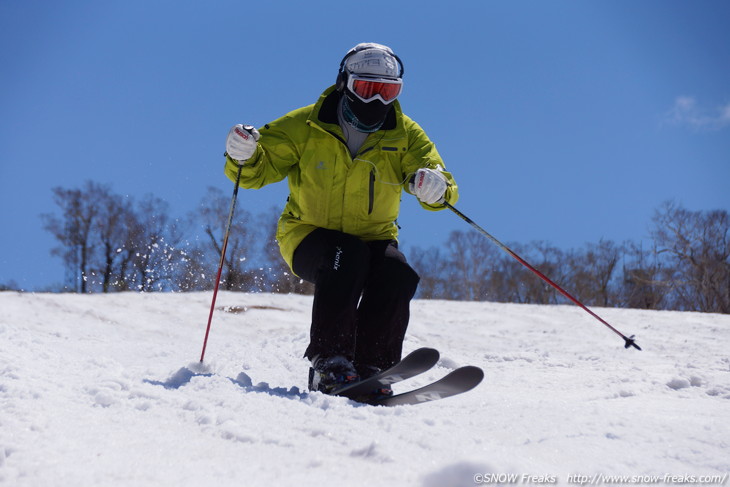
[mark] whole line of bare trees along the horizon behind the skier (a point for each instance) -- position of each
(109, 243)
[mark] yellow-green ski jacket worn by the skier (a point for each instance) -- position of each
(329, 188)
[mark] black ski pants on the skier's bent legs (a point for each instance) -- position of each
(362, 296)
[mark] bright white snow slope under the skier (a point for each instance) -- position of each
(107, 390)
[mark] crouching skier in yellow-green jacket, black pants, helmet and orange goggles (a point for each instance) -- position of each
(347, 158)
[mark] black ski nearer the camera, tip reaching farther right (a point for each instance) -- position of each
(456, 382)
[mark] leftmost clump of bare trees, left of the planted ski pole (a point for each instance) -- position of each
(108, 243)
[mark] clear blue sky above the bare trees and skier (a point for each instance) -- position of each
(563, 121)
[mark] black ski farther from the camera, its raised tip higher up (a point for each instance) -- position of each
(415, 363)
